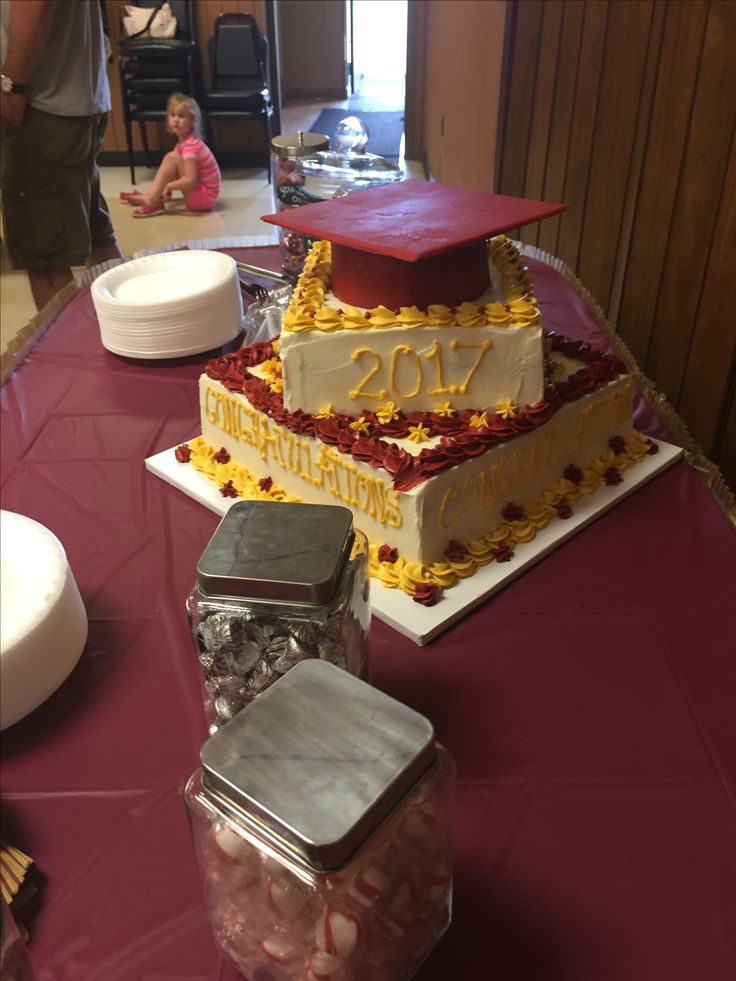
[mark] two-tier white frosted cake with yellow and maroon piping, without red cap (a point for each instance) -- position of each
(453, 432)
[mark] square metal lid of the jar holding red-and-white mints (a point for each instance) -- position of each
(317, 762)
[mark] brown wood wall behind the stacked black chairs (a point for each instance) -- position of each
(231, 136)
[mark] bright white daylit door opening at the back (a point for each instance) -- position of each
(376, 51)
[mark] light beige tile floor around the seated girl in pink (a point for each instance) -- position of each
(246, 195)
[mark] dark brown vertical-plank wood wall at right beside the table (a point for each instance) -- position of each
(625, 110)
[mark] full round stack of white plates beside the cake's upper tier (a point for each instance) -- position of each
(169, 305)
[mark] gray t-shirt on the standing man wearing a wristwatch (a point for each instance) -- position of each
(70, 78)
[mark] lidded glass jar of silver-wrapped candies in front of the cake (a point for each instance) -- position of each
(278, 584)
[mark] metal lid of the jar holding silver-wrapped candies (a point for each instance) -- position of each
(273, 552)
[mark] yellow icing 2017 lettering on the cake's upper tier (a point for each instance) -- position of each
(403, 354)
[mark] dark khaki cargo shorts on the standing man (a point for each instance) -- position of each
(53, 211)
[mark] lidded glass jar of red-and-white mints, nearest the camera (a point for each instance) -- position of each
(321, 820)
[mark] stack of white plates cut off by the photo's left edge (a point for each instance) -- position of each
(43, 623)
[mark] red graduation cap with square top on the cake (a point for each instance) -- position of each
(413, 242)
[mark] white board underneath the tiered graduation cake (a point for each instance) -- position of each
(423, 623)
